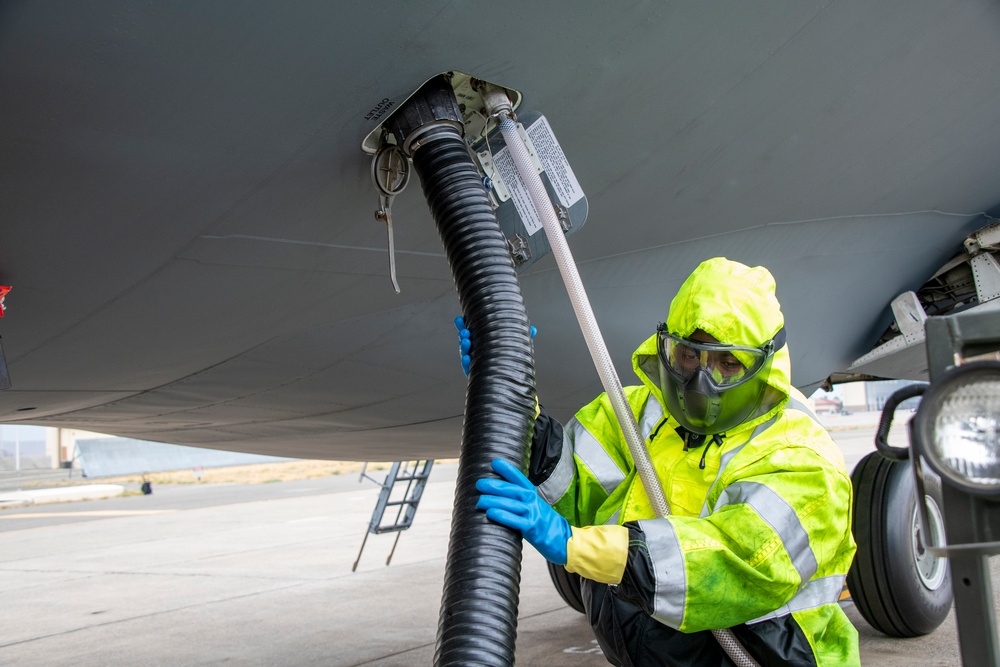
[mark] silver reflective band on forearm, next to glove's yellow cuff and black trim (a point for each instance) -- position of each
(667, 560)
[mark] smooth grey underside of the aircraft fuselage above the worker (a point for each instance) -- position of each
(188, 217)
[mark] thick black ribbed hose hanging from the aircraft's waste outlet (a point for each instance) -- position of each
(478, 622)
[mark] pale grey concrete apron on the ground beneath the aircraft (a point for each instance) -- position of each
(261, 575)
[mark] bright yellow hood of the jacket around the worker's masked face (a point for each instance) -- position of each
(737, 305)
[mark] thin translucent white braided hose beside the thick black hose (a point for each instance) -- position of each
(598, 350)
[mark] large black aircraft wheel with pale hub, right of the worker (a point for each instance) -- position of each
(899, 588)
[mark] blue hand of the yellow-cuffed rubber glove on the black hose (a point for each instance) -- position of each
(515, 503)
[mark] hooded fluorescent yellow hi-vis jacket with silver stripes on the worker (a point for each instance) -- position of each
(759, 531)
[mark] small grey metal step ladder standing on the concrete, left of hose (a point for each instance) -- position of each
(414, 475)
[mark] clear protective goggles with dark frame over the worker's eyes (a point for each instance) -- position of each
(726, 366)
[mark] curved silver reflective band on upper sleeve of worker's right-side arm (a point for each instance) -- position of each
(781, 516)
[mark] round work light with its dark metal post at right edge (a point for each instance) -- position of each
(956, 434)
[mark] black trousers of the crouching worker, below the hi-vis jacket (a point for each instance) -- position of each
(632, 638)
